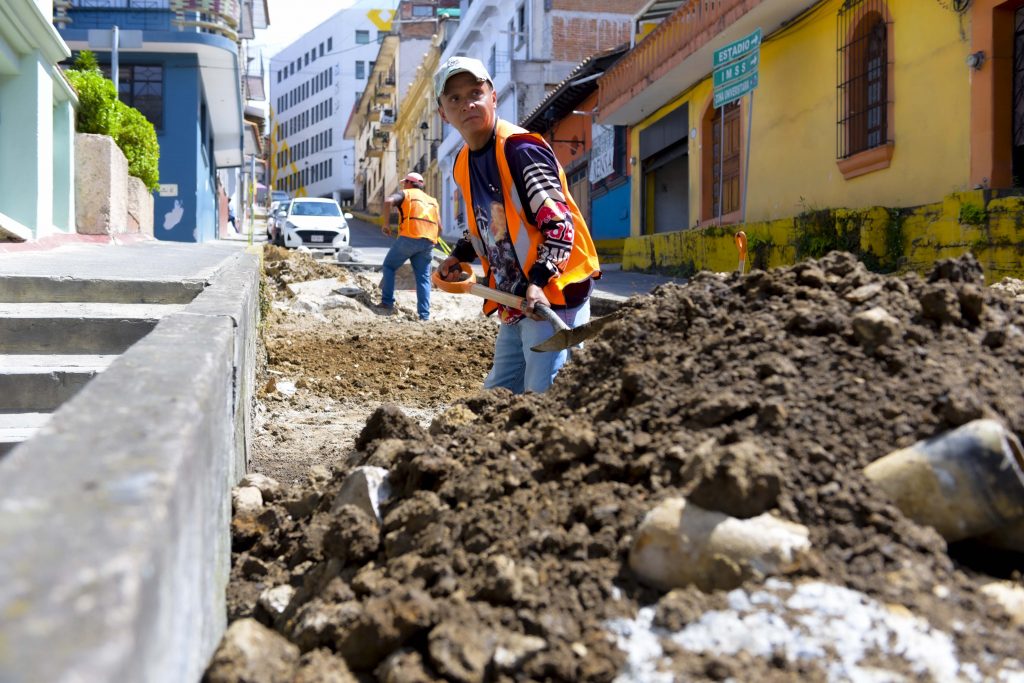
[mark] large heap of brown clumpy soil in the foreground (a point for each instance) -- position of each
(502, 551)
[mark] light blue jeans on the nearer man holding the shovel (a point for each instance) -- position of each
(519, 369)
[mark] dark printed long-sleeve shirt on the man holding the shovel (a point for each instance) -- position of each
(535, 173)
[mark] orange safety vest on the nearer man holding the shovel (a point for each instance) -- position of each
(526, 238)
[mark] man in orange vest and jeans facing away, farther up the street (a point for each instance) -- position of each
(419, 228)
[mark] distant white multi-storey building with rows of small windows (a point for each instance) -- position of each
(315, 83)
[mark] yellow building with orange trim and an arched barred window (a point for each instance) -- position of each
(859, 104)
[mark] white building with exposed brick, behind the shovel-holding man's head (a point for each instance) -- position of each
(529, 47)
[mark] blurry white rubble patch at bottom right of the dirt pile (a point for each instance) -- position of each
(851, 636)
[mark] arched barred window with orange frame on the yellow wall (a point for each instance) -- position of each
(865, 138)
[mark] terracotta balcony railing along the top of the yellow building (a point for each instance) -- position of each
(681, 34)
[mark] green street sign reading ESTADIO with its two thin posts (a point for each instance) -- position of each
(736, 75)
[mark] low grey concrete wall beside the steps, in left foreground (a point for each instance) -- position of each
(115, 520)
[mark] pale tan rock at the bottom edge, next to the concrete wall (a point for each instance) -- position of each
(250, 653)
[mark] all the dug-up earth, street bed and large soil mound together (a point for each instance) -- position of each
(502, 552)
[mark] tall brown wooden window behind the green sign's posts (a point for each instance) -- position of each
(720, 161)
